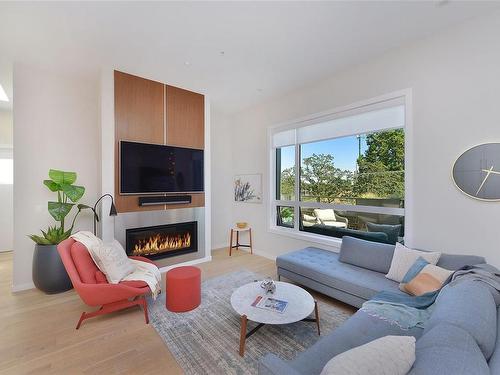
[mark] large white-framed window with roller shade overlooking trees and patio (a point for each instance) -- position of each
(342, 175)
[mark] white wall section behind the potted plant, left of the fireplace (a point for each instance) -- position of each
(56, 125)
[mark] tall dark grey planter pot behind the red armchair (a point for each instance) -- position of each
(49, 274)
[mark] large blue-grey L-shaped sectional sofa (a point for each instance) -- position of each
(461, 336)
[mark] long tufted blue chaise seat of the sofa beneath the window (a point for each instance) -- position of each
(324, 267)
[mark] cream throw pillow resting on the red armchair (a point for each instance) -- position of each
(113, 261)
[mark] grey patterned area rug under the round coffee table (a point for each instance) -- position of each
(206, 340)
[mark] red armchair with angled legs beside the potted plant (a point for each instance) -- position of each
(92, 286)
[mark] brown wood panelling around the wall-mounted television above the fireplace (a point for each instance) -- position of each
(151, 112)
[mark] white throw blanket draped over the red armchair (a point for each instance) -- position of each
(143, 271)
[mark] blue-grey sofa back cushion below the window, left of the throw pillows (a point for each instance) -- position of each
(367, 254)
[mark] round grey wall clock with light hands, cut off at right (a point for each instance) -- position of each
(477, 172)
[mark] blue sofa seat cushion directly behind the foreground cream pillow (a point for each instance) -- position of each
(358, 330)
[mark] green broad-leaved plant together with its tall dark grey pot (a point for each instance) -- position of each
(49, 274)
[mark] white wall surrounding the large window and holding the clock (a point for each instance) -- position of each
(455, 78)
